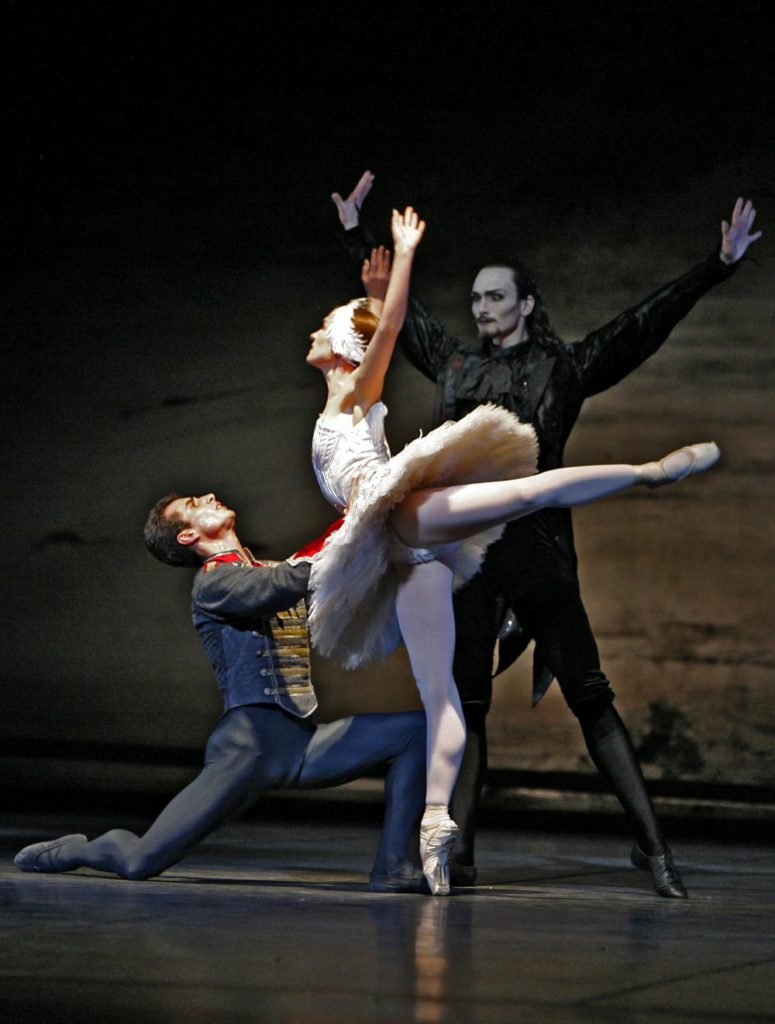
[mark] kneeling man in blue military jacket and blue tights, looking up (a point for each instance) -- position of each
(252, 621)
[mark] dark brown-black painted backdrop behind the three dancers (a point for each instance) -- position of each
(170, 244)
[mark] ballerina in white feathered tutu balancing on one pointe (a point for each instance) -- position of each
(417, 525)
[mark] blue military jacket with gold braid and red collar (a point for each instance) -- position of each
(252, 621)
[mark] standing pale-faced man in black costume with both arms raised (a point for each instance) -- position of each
(529, 587)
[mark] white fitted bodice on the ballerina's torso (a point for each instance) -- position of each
(343, 452)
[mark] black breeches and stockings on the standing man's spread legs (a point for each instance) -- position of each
(537, 578)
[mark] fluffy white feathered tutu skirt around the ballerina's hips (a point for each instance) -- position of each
(353, 615)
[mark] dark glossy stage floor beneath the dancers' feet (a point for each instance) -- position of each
(274, 923)
